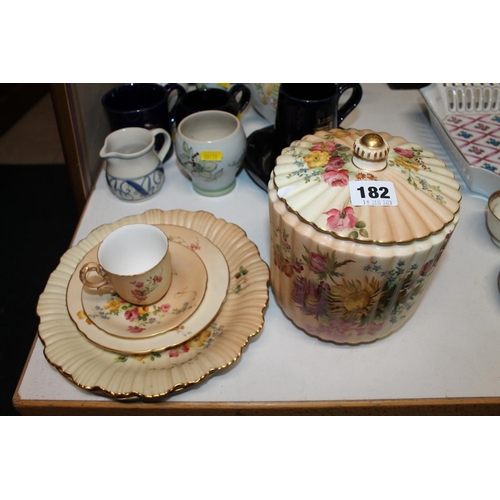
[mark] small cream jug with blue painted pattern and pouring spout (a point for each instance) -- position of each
(134, 170)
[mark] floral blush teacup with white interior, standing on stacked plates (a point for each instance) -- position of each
(133, 262)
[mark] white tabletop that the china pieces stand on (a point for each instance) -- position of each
(450, 348)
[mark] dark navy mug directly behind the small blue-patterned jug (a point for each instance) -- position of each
(142, 105)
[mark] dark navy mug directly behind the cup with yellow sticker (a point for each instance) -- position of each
(233, 101)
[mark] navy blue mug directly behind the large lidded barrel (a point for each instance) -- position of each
(305, 108)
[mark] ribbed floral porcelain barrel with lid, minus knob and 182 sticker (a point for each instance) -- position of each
(352, 274)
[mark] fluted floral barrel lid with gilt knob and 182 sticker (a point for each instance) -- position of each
(366, 186)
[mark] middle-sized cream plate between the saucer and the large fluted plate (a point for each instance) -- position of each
(217, 286)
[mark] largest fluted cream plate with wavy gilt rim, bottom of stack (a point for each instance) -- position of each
(156, 374)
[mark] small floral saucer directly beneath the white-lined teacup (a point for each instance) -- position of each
(110, 313)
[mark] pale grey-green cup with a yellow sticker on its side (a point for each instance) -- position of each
(210, 145)
